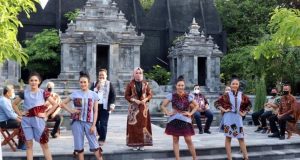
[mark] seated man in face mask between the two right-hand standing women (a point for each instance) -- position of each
(202, 110)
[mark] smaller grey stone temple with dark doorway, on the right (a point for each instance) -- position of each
(197, 58)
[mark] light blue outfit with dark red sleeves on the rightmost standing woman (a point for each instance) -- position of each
(232, 121)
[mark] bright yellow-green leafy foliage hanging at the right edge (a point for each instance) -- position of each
(281, 47)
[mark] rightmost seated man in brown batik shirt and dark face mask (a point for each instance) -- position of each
(286, 104)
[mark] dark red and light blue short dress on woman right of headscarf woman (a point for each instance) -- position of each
(179, 124)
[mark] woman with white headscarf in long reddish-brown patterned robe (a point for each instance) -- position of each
(138, 93)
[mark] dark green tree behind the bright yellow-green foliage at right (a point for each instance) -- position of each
(246, 23)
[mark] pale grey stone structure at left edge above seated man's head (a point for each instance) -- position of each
(10, 72)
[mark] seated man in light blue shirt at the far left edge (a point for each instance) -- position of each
(8, 118)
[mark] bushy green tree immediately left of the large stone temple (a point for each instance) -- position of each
(43, 50)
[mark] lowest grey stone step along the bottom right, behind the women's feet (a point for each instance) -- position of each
(255, 153)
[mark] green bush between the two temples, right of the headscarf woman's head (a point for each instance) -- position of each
(159, 74)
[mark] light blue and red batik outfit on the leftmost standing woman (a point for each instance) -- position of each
(33, 126)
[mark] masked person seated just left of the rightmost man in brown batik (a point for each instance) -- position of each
(260, 117)
